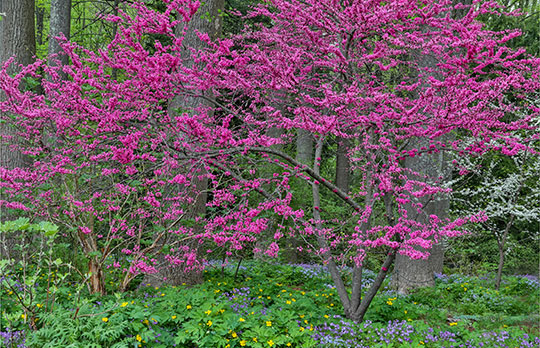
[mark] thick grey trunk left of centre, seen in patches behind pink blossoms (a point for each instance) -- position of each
(206, 20)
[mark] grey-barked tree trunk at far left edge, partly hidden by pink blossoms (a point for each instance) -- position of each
(17, 38)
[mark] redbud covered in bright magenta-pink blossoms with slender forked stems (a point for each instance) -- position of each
(116, 168)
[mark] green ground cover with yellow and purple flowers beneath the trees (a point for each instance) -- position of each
(276, 305)
